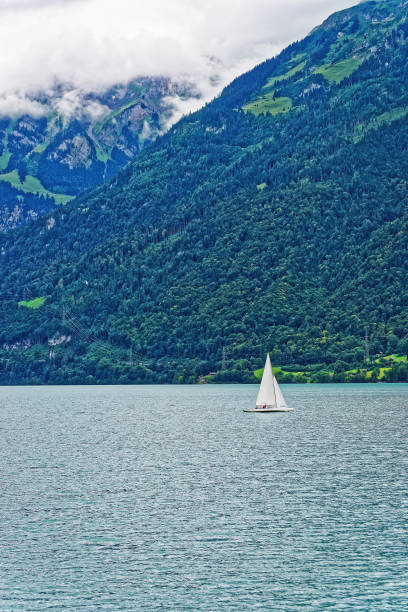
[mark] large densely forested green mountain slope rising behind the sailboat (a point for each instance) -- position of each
(275, 218)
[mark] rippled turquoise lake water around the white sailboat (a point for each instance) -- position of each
(171, 498)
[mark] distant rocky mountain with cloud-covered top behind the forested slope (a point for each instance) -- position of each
(74, 141)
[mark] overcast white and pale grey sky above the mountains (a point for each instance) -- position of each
(93, 44)
